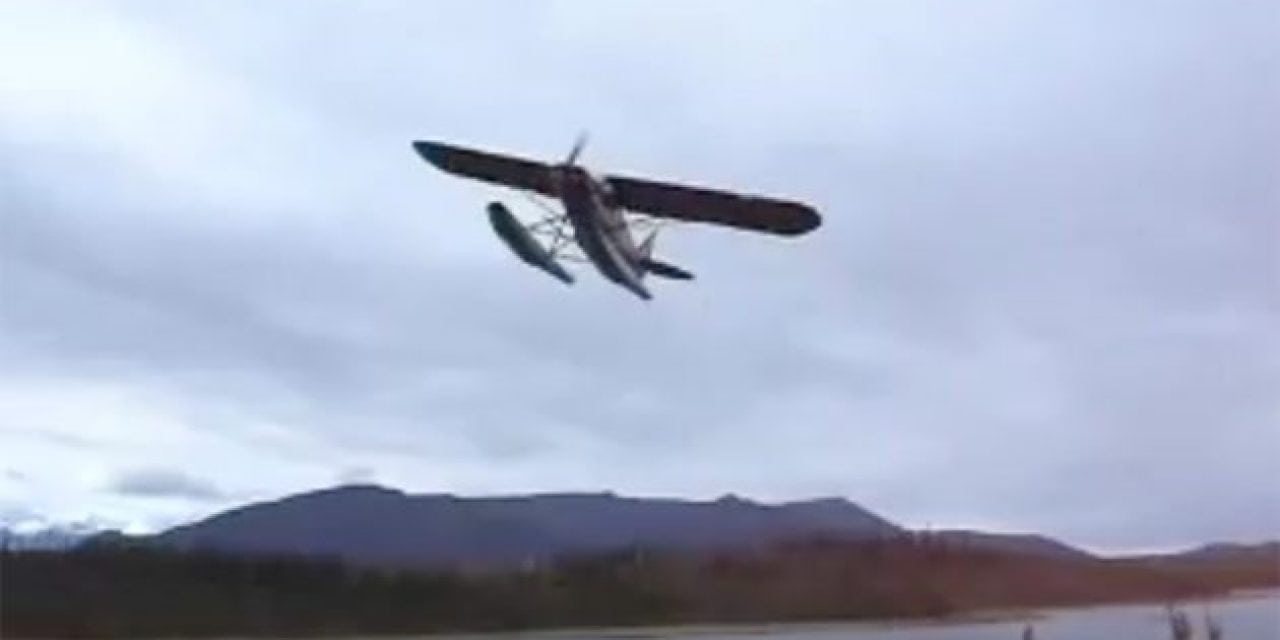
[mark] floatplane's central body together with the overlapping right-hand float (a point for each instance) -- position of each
(601, 230)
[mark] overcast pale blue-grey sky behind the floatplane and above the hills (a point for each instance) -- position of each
(1046, 292)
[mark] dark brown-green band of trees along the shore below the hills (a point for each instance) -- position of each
(132, 592)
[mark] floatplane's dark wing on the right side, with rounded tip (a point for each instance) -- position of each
(703, 205)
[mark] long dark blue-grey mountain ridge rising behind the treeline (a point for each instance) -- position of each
(376, 525)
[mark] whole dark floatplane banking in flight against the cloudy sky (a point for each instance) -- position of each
(597, 211)
